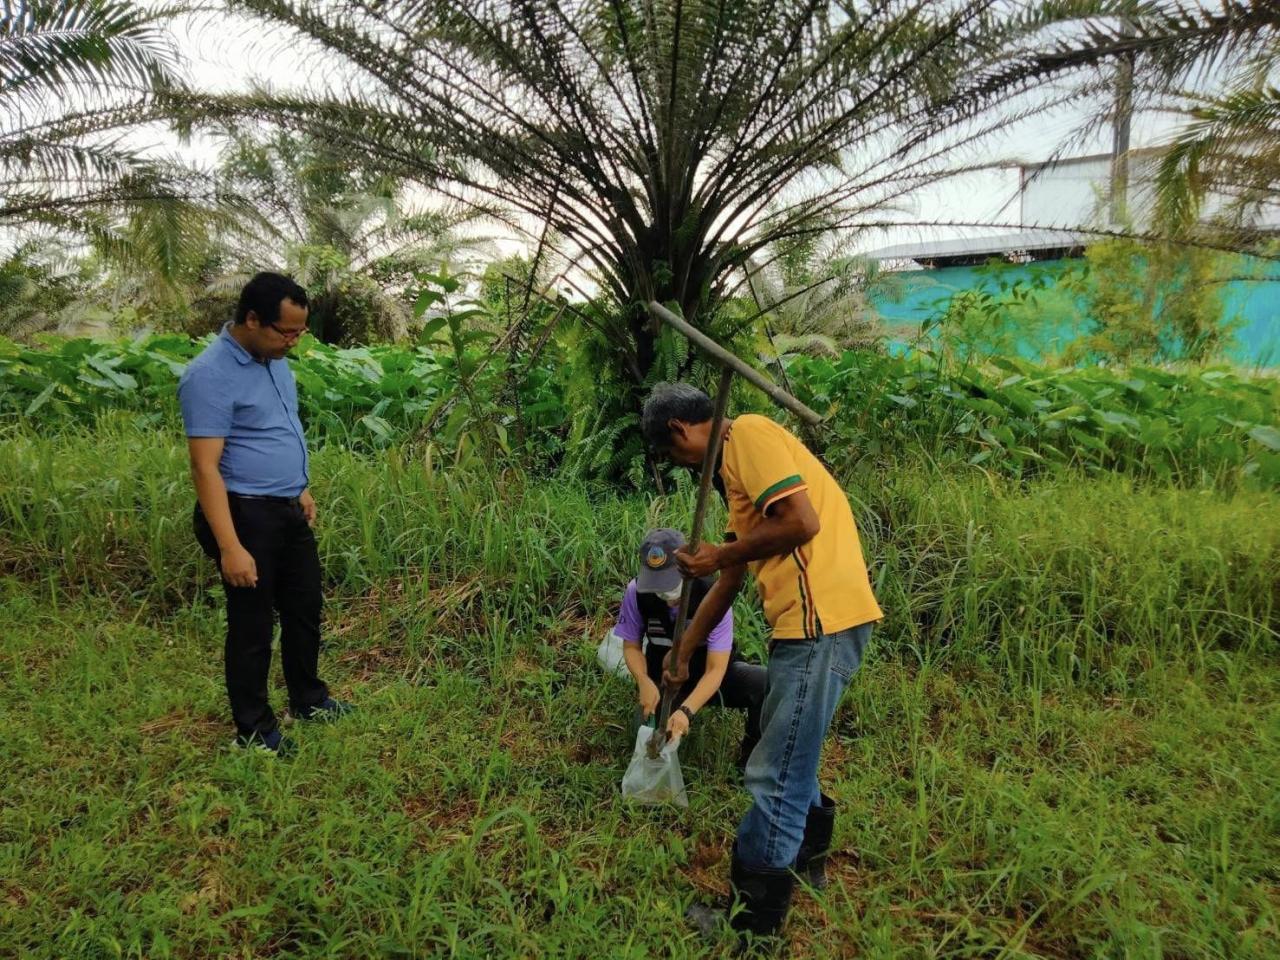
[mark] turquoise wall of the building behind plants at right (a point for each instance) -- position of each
(924, 294)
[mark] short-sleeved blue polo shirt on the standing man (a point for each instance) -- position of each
(226, 392)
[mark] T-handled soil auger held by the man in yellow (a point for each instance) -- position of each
(730, 365)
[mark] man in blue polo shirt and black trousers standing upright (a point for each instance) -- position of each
(254, 511)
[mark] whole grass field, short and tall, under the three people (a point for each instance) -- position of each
(1066, 742)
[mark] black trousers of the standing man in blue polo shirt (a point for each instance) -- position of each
(277, 536)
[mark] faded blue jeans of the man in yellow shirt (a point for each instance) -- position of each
(807, 680)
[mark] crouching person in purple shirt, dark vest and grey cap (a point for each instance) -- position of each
(647, 627)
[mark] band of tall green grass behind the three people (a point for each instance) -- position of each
(1066, 578)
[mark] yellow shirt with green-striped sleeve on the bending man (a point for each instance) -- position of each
(821, 588)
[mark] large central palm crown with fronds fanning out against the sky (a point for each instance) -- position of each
(668, 144)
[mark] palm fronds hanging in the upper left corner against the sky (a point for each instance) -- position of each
(77, 80)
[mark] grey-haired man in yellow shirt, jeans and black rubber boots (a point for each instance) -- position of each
(790, 524)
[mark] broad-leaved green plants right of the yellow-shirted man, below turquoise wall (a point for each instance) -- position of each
(1017, 418)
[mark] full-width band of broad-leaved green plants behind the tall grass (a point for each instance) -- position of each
(1194, 427)
